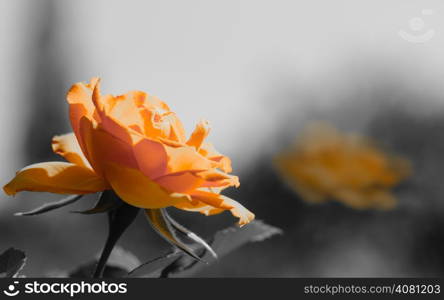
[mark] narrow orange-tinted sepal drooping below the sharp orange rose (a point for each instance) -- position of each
(162, 225)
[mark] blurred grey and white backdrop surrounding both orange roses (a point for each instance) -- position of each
(259, 71)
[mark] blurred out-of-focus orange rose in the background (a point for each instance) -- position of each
(325, 164)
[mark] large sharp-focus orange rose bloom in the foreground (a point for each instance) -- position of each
(135, 145)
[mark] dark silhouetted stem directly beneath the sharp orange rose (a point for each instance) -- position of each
(119, 220)
